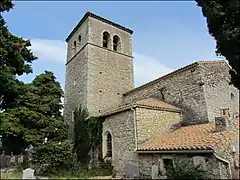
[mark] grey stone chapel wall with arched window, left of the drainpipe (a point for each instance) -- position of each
(121, 127)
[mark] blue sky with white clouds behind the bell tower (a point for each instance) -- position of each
(167, 35)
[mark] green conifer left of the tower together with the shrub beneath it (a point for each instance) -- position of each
(37, 121)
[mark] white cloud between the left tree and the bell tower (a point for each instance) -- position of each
(49, 49)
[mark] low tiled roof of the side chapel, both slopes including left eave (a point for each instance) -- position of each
(151, 103)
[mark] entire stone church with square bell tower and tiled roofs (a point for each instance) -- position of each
(190, 113)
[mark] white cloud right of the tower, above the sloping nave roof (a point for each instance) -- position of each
(147, 68)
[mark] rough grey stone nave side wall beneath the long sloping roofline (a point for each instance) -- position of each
(183, 89)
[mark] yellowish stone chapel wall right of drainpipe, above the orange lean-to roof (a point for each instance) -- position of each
(152, 123)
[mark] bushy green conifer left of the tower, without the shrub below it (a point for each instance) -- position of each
(37, 115)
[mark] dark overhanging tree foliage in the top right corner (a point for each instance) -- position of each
(223, 19)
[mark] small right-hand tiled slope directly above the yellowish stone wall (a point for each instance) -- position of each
(156, 103)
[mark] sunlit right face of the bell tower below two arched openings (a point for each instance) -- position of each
(110, 73)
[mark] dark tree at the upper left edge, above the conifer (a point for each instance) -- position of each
(15, 60)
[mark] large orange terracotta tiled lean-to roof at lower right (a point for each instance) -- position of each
(193, 137)
